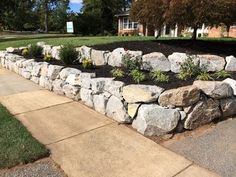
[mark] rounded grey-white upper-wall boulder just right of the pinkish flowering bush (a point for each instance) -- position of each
(156, 62)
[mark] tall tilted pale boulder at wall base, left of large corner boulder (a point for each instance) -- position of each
(116, 110)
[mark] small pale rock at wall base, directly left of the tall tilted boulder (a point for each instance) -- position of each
(100, 102)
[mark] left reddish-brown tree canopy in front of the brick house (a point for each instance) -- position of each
(149, 12)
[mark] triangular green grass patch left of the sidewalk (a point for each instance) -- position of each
(17, 146)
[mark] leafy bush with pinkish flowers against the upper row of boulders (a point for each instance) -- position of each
(131, 63)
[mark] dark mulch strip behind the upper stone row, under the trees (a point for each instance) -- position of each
(167, 47)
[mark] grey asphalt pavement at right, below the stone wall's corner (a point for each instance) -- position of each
(215, 149)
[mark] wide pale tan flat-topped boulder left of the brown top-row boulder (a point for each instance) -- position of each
(141, 93)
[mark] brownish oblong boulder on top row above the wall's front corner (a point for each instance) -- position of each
(183, 96)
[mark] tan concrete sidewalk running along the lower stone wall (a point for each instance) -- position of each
(85, 143)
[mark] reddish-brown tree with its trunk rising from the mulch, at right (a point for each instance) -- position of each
(191, 13)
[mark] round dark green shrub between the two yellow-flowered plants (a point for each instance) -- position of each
(68, 54)
